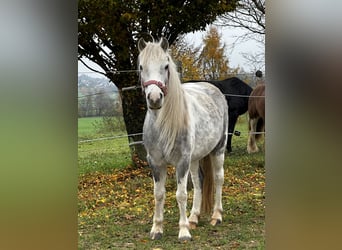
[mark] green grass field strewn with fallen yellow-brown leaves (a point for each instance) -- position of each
(115, 200)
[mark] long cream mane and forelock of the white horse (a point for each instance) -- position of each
(173, 118)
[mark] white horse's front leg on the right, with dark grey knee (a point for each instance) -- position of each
(182, 173)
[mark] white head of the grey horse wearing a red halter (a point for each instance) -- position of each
(154, 71)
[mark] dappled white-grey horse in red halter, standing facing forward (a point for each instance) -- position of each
(184, 124)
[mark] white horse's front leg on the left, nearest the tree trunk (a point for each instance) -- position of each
(159, 178)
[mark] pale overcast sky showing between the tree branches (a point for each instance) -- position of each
(229, 35)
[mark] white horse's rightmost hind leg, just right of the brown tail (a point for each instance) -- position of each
(217, 161)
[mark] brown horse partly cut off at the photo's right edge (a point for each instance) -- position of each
(256, 112)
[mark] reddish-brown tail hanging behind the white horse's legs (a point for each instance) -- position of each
(208, 184)
